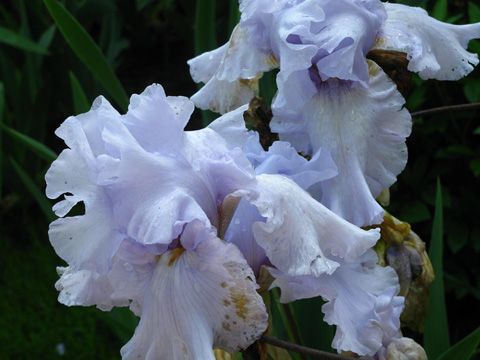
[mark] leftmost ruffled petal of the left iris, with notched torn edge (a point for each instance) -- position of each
(88, 241)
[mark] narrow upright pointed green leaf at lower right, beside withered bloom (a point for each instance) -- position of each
(436, 338)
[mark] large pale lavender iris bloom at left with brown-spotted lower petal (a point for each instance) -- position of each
(148, 239)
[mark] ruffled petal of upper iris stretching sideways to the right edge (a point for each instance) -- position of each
(434, 49)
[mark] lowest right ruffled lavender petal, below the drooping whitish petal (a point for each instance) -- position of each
(362, 302)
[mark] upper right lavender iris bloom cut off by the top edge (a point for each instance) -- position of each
(329, 95)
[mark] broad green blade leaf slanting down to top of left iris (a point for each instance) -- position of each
(87, 51)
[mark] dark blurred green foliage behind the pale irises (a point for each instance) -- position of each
(43, 81)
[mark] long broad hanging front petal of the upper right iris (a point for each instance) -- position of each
(364, 129)
